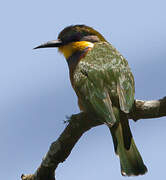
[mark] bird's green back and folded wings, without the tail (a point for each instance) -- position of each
(103, 79)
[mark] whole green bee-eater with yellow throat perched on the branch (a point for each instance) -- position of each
(104, 85)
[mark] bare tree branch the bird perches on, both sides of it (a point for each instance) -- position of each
(79, 124)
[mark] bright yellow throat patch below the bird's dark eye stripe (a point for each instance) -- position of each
(69, 49)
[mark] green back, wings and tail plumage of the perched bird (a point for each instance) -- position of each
(105, 86)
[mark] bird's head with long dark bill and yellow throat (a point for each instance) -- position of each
(74, 38)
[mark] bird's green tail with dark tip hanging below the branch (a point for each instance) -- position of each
(130, 159)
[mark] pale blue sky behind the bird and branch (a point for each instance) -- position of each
(36, 95)
